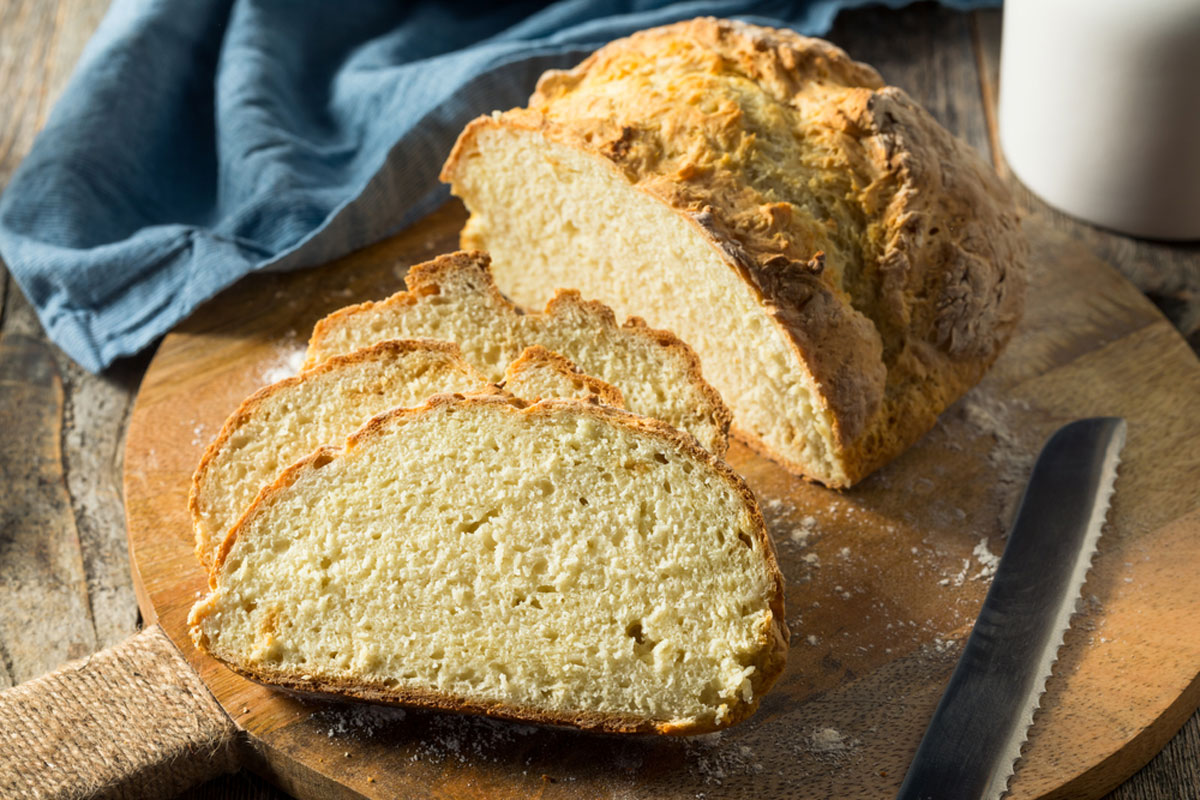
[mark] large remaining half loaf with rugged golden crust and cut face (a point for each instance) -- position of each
(844, 267)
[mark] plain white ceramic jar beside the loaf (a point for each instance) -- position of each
(1100, 110)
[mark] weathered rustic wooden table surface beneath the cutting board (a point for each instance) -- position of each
(65, 587)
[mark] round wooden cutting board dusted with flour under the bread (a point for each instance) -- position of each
(884, 581)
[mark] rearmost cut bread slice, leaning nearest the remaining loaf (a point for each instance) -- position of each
(454, 298)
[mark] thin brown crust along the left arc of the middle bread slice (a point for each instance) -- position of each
(249, 407)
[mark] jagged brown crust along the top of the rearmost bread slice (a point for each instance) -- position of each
(473, 269)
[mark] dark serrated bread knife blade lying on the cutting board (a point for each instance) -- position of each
(976, 735)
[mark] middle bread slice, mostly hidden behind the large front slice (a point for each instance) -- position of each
(284, 423)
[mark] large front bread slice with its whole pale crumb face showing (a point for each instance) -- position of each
(561, 563)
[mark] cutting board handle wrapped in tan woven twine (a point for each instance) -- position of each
(134, 721)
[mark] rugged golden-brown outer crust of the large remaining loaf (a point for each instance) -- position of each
(761, 137)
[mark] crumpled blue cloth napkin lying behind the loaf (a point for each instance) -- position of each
(202, 141)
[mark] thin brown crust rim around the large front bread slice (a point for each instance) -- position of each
(775, 636)
